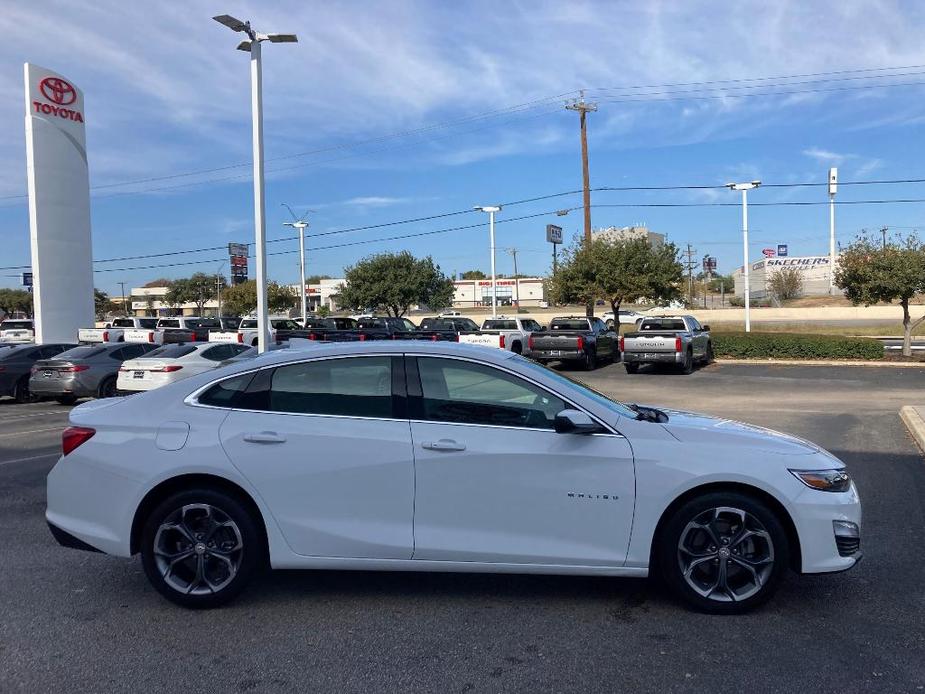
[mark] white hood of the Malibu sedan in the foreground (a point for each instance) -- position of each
(690, 427)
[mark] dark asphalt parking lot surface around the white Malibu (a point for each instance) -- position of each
(74, 621)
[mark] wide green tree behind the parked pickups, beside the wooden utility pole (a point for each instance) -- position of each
(617, 271)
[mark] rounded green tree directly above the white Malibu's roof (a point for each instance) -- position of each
(396, 281)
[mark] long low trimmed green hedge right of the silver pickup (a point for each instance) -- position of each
(794, 346)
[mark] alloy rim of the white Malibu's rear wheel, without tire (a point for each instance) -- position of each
(198, 549)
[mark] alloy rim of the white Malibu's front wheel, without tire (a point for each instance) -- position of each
(725, 554)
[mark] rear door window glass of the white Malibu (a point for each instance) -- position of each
(357, 387)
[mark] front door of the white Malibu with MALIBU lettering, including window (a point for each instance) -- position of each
(495, 483)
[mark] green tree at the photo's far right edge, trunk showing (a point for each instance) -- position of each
(869, 272)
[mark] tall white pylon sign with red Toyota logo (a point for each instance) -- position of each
(59, 205)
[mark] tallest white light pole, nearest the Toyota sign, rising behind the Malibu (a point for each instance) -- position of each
(252, 46)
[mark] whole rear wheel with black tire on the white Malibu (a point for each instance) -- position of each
(188, 508)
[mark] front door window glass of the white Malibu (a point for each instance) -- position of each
(463, 392)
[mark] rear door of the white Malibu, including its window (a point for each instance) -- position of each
(328, 447)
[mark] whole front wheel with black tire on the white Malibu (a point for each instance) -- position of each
(686, 526)
